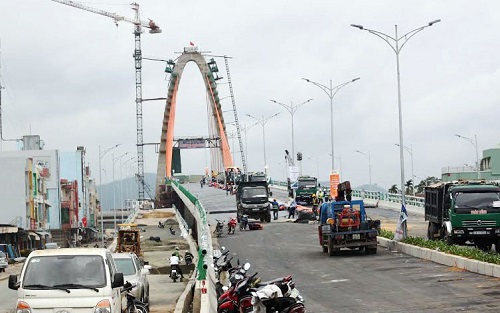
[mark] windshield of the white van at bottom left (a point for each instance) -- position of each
(81, 271)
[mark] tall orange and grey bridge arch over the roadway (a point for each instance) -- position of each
(164, 168)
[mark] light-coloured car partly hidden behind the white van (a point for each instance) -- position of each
(135, 272)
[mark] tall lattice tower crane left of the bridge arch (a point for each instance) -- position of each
(138, 25)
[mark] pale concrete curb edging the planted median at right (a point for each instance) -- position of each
(475, 266)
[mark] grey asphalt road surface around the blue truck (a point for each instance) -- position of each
(353, 281)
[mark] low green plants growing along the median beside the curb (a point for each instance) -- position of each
(466, 252)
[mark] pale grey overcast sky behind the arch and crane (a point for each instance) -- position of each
(69, 77)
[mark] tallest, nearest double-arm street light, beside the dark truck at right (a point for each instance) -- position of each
(397, 43)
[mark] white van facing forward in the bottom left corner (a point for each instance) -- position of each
(68, 280)
